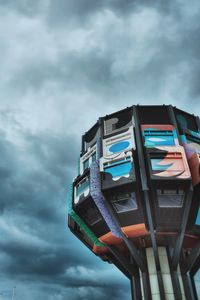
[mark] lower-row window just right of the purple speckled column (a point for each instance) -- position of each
(124, 202)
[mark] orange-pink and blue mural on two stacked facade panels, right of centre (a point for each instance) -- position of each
(167, 157)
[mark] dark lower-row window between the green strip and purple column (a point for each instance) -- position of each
(90, 214)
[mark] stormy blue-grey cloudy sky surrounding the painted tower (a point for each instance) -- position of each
(64, 64)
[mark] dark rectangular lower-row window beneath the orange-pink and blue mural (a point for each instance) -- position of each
(170, 198)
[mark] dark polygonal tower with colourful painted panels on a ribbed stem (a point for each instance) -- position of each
(135, 200)
